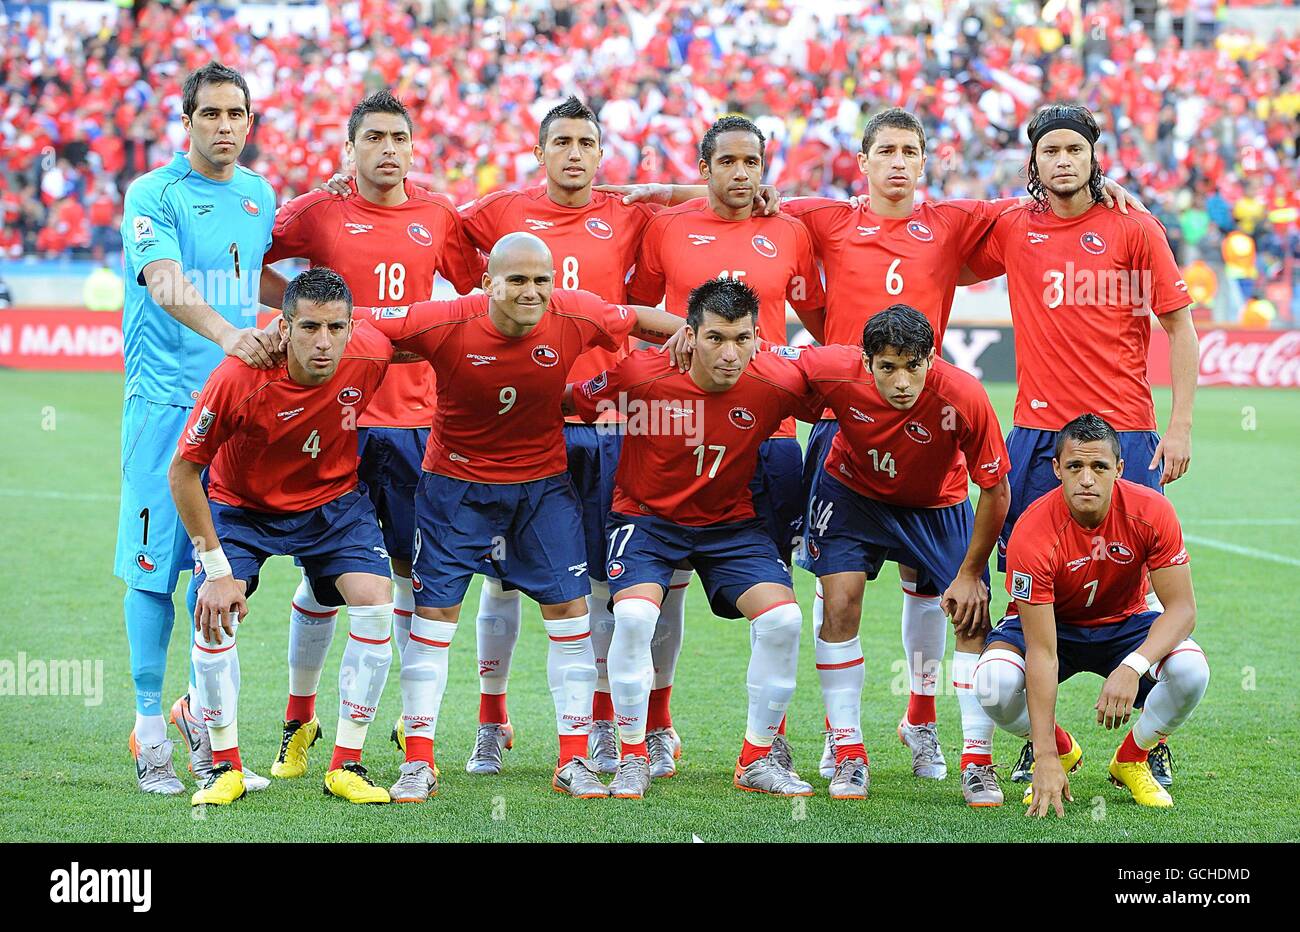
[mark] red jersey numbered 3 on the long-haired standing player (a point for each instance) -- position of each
(1082, 292)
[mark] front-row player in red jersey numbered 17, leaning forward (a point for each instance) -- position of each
(683, 493)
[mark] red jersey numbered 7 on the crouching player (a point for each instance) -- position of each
(1093, 576)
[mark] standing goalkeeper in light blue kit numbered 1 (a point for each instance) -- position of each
(194, 233)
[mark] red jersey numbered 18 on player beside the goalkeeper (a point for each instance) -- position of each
(388, 255)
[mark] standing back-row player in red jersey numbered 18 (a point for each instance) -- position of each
(388, 244)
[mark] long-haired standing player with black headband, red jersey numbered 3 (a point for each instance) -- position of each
(1085, 283)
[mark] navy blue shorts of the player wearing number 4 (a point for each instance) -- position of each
(335, 539)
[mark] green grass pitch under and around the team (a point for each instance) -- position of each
(66, 774)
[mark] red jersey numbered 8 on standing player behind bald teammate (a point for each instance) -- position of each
(595, 246)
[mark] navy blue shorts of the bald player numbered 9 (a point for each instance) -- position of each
(527, 535)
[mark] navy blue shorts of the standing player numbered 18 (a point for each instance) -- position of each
(391, 470)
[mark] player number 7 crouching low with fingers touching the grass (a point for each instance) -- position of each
(1077, 570)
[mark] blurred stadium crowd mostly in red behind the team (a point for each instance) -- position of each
(1206, 135)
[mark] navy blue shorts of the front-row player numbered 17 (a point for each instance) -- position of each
(730, 558)
